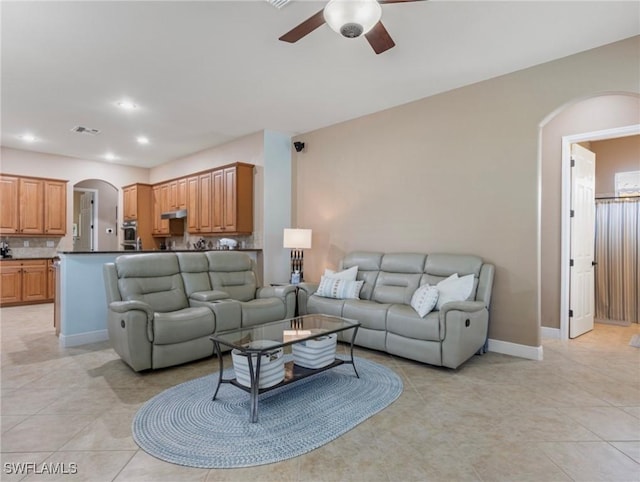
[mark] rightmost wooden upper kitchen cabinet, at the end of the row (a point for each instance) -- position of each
(232, 206)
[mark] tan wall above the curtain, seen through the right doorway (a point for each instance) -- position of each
(614, 155)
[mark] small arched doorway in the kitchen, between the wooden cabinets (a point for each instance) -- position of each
(95, 216)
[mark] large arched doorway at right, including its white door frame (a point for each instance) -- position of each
(600, 113)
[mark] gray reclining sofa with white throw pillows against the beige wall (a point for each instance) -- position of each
(445, 337)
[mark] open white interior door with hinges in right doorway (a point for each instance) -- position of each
(582, 293)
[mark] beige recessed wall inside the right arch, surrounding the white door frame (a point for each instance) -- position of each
(589, 115)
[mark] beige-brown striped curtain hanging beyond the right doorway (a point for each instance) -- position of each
(617, 251)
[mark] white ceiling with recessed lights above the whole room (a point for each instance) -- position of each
(205, 73)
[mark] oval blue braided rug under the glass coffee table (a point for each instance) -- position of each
(184, 426)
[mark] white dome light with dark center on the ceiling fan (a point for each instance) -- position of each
(352, 18)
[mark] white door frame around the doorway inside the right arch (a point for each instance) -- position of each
(565, 248)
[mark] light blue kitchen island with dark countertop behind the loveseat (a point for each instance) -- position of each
(81, 307)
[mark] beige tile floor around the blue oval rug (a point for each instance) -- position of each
(573, 416)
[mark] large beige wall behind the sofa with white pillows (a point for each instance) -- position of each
(456, 172)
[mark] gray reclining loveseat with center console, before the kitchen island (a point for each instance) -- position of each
(164, 306)
